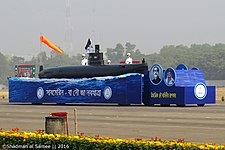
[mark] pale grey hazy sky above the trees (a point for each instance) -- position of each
(149, 24)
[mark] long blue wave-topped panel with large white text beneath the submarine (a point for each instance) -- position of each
(123, 89)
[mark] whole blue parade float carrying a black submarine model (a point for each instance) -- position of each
(122, 84)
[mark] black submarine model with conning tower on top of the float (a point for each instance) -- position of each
(95, 68)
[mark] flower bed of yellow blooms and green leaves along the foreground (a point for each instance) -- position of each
(13, 139)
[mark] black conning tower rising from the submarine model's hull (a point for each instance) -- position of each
(96, 58)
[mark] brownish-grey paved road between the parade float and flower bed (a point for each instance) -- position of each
(195, 124)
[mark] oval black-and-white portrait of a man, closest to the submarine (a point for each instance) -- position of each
(155, 74)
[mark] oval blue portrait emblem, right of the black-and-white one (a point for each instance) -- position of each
(169, 76)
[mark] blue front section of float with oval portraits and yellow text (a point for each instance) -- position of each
(179, 87)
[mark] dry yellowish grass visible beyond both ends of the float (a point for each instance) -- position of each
(220, 94)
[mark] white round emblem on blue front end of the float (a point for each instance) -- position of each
(200, 91)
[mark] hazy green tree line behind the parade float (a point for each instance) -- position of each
(206, 57)
